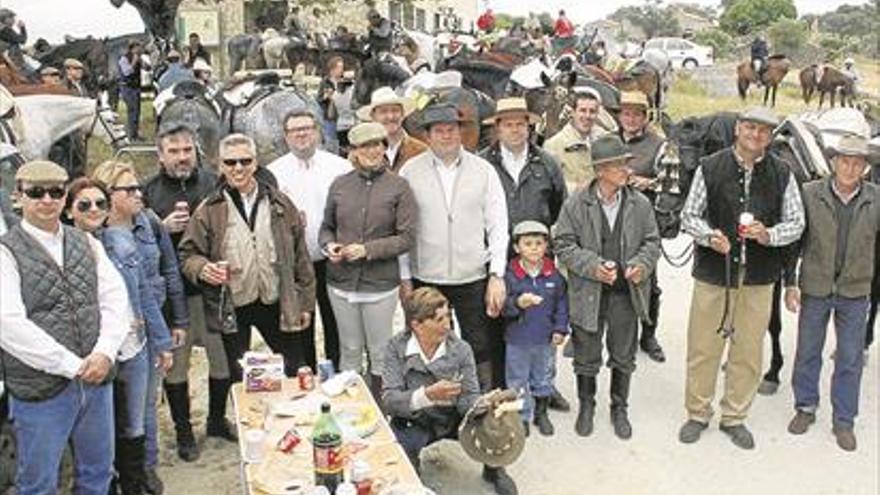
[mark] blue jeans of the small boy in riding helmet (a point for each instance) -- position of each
(528, 371)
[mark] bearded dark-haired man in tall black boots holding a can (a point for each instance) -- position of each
(173, 194)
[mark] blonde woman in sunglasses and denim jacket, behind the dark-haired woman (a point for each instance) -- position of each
(160, 264)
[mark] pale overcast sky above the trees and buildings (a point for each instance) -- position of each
(52, 19)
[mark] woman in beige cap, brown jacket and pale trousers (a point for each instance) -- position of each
(369, 220)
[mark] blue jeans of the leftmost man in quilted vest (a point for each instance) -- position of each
(82, 415)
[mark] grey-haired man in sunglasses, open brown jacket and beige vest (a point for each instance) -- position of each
(245, 248)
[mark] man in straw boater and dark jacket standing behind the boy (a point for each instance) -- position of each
(532, 179)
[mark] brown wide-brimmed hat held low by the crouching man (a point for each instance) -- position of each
(492, 432)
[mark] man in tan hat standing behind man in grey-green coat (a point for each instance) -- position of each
(646, 146)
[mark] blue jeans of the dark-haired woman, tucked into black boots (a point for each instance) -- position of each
(130, 395)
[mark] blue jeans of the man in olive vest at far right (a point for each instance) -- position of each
(849, 326)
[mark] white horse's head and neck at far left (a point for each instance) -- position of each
(44, 119)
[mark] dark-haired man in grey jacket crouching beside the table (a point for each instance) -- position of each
(429, 381)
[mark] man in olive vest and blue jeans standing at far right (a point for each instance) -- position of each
(837, 253)
